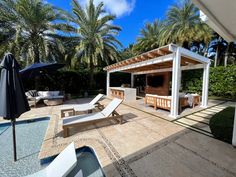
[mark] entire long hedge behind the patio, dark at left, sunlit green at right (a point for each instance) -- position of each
(222, 81)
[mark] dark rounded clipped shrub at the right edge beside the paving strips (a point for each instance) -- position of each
(221, 124)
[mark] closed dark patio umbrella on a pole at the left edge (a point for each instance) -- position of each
(12, 94)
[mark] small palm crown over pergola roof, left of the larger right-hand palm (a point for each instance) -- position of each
(149, 38)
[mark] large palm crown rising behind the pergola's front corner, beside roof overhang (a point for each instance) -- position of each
(184, 26)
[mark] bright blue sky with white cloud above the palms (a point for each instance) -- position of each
(131, 14)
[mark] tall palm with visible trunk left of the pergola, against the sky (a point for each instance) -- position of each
(97, 35)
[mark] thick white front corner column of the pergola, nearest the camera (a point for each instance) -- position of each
(176, 79)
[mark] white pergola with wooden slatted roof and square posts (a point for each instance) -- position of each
(169, 58)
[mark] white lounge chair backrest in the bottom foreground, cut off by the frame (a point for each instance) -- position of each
(61, 166)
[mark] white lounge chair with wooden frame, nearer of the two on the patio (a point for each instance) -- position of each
(109, 110)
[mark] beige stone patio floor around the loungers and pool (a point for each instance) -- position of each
(145, 145)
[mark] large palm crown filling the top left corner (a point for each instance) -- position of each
(29, 28)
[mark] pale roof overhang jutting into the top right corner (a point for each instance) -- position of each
(220, 16)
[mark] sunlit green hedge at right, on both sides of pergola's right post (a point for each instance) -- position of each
(222, 81)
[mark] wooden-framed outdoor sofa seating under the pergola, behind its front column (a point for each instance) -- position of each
(164, 102)
